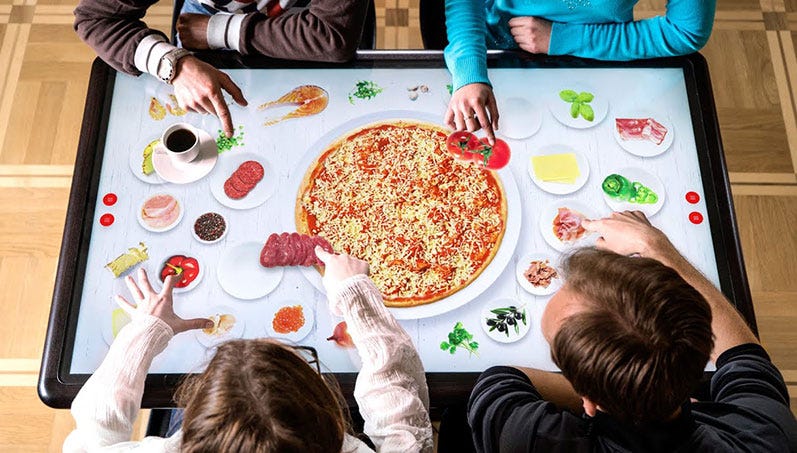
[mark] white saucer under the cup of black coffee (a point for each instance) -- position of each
(184, 173)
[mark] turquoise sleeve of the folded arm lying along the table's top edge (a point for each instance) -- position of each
(685, 28)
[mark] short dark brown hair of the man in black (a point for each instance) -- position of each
(639, 348)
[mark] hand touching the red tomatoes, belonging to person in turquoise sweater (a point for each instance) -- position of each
(469, 107)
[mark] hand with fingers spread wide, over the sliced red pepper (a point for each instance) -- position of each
(160, 305)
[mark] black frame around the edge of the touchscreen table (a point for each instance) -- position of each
(57, 388)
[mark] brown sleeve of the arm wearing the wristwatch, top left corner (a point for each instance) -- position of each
(113, 28)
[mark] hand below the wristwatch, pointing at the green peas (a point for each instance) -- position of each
(198, 85)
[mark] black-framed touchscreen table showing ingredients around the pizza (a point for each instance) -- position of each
(586, 139)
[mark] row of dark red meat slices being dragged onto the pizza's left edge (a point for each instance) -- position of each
(292, 249)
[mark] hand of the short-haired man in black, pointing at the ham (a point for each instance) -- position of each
(628, 233)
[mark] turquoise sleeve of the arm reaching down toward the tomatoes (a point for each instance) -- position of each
(466, 53)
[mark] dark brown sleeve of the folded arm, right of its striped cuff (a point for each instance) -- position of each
(327, 30)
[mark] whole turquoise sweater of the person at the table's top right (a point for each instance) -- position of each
(600, 29)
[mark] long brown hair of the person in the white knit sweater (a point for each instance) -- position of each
(260, 396)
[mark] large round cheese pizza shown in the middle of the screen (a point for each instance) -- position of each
(389, 193)
